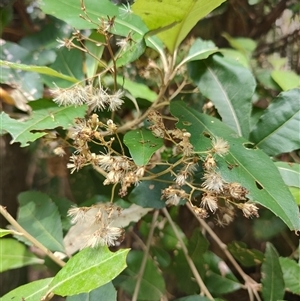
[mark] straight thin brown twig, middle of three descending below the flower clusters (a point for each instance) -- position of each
(198, 278)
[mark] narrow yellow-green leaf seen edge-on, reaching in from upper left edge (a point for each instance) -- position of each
(38, 69)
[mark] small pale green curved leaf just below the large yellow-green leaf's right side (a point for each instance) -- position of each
(200, 50)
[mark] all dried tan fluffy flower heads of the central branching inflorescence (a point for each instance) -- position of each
(213, 195)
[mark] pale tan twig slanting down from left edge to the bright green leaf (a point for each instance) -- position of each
(25, 234)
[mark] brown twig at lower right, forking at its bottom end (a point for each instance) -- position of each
(251, 285)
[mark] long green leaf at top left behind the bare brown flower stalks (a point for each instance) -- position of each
(124, 23)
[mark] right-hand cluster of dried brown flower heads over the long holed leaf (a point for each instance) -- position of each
(218, 196)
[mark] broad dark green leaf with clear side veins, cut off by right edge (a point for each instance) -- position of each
(277, 130)
